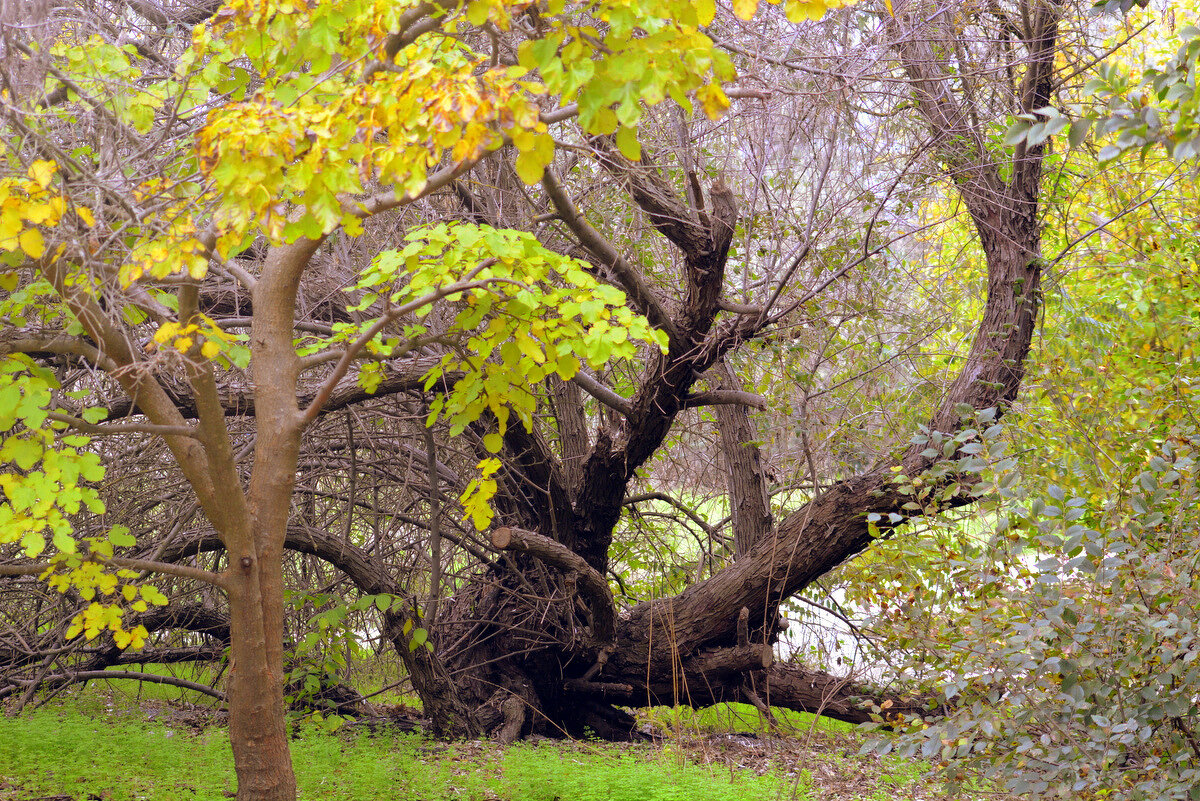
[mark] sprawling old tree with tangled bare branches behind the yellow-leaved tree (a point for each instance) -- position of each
(777, 248)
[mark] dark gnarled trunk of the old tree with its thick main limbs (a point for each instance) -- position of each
(713, 642)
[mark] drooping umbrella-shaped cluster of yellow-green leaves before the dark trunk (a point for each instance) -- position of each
(524, 314)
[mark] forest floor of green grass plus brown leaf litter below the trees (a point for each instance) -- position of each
(105, 746)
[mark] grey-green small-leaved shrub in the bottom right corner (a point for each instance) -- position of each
(1071, 666)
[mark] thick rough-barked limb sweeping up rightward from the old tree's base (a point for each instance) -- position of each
(833, 527)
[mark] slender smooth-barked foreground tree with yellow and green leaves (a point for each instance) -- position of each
(281, 154)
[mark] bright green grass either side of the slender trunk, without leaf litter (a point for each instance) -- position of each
(83, 749)
